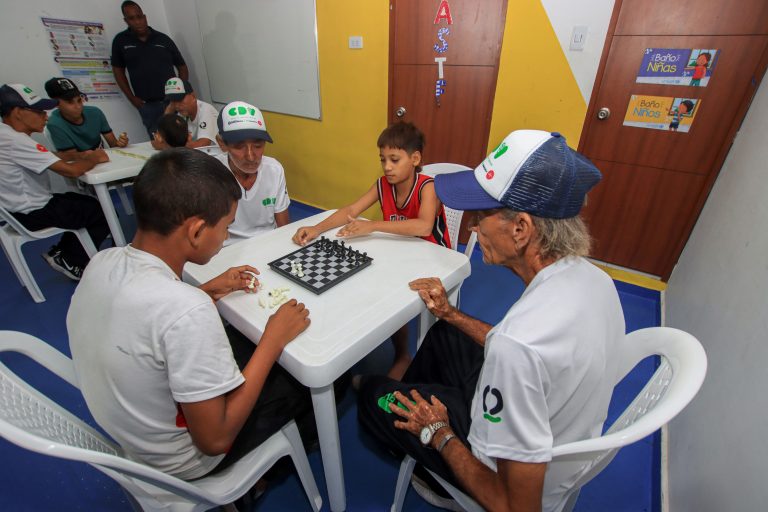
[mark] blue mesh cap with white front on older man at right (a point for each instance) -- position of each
(531, 171)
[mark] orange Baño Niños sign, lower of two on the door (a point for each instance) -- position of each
(661, 113)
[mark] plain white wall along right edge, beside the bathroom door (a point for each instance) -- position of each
(718, 455)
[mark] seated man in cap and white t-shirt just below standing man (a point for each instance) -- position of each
(200, 116)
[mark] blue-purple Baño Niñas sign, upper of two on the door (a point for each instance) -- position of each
(670, 66)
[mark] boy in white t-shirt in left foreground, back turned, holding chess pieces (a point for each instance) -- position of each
(156, 367)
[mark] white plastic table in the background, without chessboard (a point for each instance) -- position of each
(123, 163)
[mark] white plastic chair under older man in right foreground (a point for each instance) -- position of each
(673, 385)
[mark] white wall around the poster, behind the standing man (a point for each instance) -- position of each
(27, 57)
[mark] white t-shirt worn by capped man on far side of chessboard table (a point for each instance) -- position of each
(257, 207)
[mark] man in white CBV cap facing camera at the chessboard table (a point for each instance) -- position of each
(264, 202)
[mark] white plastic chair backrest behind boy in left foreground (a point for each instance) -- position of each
(33, 421)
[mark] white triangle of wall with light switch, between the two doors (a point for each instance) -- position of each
(594, 14)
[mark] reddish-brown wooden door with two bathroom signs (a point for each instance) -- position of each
(655, 182)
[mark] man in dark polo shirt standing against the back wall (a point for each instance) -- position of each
(149, 56)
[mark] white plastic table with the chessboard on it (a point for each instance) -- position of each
(347, 321)
